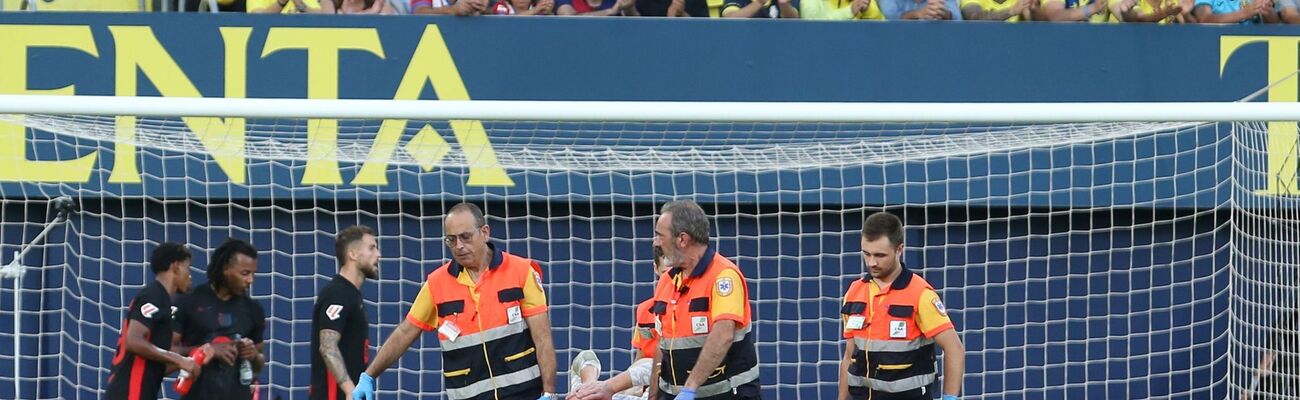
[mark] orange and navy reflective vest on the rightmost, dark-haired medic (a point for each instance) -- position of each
(891, 353)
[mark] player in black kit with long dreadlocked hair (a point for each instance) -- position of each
(220, 314)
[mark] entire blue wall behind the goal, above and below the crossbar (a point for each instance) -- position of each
(1056, 301)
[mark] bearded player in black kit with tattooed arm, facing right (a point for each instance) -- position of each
(340, 338)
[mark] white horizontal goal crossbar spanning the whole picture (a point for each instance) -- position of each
(655, 111)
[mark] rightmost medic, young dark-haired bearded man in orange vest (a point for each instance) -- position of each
(892, 321)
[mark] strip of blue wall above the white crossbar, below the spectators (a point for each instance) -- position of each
(635, 59)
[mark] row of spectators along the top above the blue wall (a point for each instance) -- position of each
(1009, 11)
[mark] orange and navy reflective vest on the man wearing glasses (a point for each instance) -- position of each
(492, 356)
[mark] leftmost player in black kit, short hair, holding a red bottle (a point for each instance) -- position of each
(142, 359)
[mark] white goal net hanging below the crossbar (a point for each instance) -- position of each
(1085, 260)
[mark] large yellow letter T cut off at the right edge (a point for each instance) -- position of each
(1282, 134)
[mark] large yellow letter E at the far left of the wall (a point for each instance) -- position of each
(15, 166)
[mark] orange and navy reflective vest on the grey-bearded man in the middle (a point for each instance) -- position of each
(687, 320)
